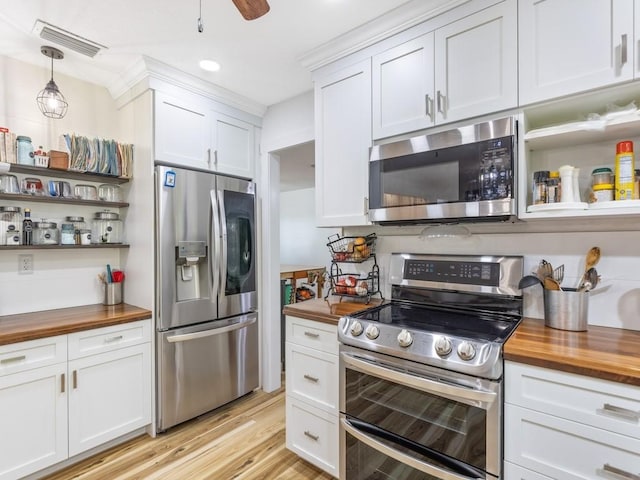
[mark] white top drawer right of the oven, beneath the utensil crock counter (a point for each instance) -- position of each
(575, 397)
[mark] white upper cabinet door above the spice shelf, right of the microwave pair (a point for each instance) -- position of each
(569, 46)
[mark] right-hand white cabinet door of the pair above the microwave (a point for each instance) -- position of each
(476, 62)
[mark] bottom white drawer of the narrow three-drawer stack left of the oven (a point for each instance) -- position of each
(313, 434)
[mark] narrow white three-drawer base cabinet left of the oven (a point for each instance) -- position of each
(312, 392)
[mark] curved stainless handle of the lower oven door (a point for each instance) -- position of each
(409, 460)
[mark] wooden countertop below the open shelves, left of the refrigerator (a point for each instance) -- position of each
(48, 323)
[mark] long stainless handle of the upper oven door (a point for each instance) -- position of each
(421, 383)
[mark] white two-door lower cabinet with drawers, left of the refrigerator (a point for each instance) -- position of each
(63, 395)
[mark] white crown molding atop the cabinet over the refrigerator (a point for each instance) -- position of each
(151, 71)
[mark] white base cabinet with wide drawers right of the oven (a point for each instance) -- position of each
(567, 427)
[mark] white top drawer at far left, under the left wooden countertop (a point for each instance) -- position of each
(21, 356)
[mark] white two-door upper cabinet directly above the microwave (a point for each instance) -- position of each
(464, 69)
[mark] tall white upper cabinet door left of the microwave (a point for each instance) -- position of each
(343, 139)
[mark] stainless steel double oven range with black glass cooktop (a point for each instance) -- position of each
(421, 376)
